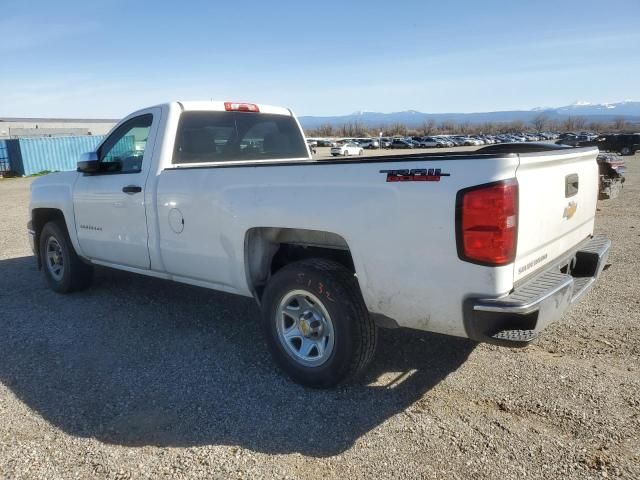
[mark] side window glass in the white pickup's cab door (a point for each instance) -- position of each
(125, 147)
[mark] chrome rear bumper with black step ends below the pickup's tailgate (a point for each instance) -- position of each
(516, 319)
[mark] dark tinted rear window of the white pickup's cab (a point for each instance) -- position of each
(229, 136)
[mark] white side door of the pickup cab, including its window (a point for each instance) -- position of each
(109, 206)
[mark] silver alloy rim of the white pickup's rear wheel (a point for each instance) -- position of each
(305, 328)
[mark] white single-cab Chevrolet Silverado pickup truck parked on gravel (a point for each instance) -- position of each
(492, 245)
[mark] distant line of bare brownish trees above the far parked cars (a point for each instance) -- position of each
(540, 123)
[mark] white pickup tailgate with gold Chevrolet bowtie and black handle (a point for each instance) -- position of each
(557, 205)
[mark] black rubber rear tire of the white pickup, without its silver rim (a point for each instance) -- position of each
(355, 333)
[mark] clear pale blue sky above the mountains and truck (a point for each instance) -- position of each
(107, 58)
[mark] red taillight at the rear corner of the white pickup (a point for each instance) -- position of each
(487, 223)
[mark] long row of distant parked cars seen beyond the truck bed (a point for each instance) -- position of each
(356, 146)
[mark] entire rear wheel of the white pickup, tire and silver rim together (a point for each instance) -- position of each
(316, 323)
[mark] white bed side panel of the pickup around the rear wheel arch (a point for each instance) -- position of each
(401, 235)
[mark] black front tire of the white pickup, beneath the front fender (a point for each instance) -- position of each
(75, 274)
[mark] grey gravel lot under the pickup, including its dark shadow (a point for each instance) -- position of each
(141, 378)
